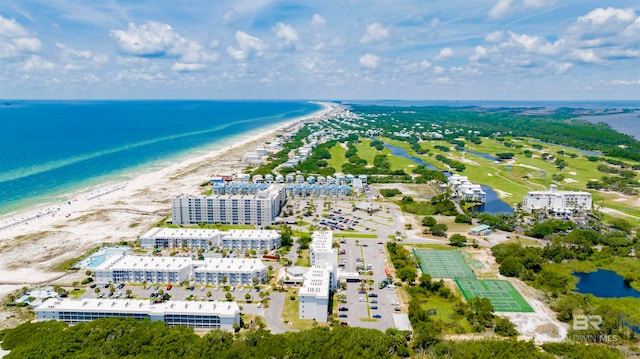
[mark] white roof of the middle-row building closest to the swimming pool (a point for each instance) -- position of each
(142, 262)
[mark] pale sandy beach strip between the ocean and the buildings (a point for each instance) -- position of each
(119, 210)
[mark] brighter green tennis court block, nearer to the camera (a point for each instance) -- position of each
(501, 293)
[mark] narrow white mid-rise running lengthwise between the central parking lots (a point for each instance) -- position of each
(321, 279)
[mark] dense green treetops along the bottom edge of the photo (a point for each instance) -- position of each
(128, 338)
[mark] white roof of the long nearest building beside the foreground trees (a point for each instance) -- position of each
(223, 309)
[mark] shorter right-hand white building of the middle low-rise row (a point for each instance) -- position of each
(231, 271)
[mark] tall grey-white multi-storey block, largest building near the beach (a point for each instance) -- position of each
(260, 209)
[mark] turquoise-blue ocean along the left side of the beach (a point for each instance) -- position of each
(50, 149)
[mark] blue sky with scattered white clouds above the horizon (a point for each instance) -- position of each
(331, 49)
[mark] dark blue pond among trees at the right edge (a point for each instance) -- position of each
(604, 284)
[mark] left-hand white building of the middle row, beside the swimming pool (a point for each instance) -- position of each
(138, 269)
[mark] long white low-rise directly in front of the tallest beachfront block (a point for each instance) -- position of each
(192, 238)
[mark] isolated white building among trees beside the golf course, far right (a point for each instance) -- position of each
(564, 202)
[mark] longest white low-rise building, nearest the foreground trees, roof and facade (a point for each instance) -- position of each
(197, 315)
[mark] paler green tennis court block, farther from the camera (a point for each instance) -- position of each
(443, 264)
